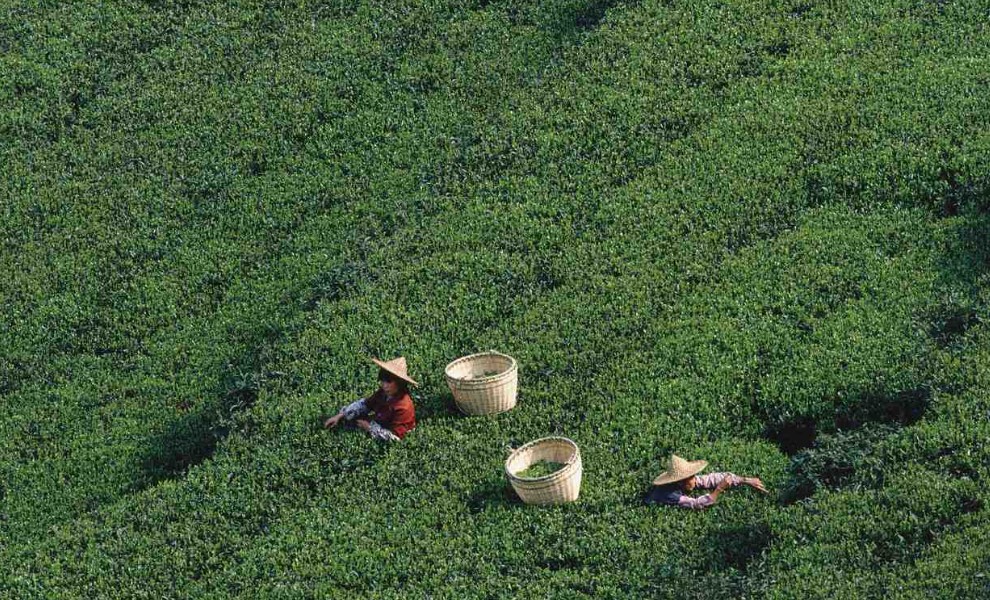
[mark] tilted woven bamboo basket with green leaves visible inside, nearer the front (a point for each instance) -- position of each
(558, 487)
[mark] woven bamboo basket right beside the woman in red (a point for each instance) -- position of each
(478, 394)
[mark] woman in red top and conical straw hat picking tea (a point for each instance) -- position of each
(391, 405)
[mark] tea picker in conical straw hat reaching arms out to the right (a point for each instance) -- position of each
(681, 477)
